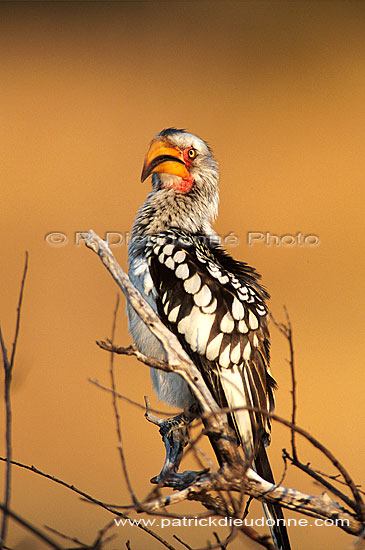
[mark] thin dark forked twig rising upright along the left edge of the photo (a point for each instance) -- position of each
(8, 372)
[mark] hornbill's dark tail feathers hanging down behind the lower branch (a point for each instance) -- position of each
(273, 512)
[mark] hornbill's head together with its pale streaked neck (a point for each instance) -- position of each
(185, 184)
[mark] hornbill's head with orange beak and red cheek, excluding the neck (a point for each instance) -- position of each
(181, 162)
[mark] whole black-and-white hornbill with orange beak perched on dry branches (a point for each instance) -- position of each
(214, 304)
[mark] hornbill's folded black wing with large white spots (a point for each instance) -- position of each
(216, 308)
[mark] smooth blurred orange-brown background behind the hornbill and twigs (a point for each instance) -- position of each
(277, 89)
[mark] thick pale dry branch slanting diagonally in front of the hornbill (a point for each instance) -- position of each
(234, 473)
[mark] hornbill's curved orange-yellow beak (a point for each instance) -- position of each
(162, 157)
